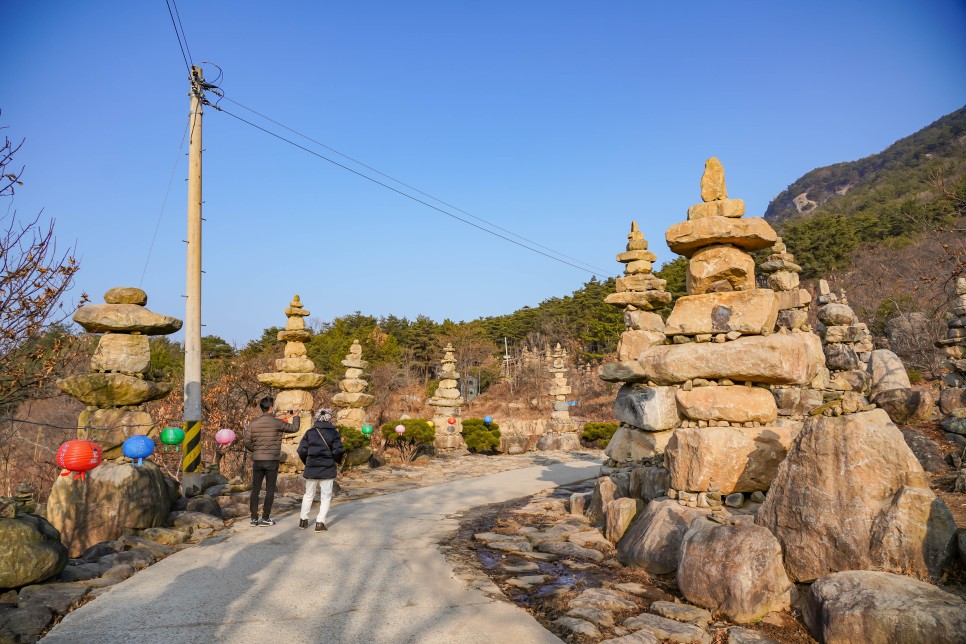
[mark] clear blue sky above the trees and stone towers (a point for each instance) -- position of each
(559, 121)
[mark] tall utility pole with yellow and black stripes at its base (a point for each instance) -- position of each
(191, 461)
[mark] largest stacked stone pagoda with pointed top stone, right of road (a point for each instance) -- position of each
(724, 356)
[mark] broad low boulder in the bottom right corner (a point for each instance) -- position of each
(882, 608)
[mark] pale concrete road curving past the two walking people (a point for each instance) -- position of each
(376, 575)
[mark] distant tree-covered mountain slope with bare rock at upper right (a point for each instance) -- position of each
(889, 197)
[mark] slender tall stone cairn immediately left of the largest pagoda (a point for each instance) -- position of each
(646, 414)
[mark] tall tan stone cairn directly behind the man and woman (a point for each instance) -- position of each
(295, 379)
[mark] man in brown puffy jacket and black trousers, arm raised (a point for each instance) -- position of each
(263, 437)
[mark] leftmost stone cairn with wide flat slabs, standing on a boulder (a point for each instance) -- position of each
(120, 381)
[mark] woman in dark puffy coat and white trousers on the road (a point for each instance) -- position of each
(320, 450)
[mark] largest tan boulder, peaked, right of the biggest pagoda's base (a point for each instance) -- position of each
(856, 466)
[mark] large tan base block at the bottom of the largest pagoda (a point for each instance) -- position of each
(727, 459)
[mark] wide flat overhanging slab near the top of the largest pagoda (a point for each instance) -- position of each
(752, 233)
